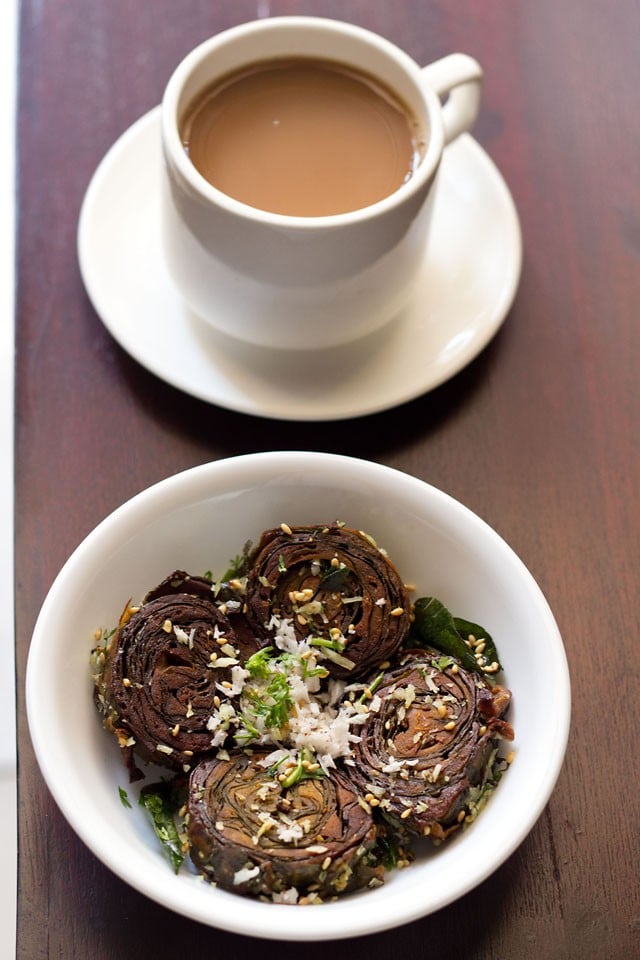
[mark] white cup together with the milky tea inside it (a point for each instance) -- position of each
(300, 163)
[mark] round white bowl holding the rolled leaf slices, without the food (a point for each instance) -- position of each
(198, 520)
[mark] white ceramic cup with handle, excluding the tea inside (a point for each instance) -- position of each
(305, 282)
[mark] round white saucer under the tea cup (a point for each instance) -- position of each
(471, 272)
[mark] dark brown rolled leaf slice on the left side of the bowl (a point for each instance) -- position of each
(161, 670)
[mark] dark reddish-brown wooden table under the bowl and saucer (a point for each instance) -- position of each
(539, 435)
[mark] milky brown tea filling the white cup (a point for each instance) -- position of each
(302, 137)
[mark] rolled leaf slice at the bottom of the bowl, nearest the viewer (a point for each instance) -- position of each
(252, 834)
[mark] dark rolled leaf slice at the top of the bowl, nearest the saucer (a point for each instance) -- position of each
(338, 589)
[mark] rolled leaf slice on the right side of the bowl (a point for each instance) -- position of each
(427, 749)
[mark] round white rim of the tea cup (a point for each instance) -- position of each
(176, 155)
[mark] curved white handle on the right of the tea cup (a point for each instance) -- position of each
(460, 77)
